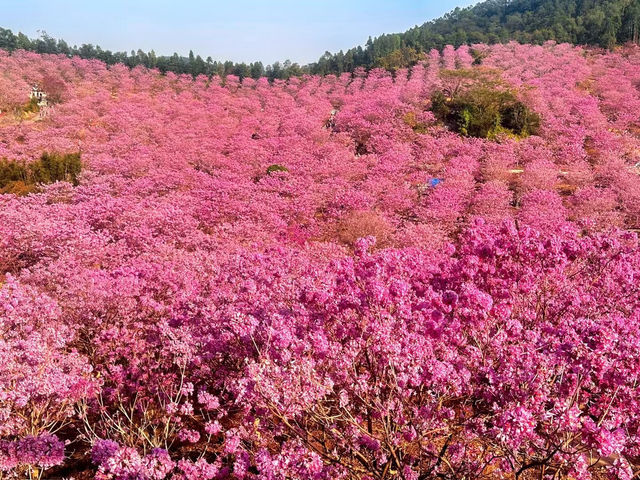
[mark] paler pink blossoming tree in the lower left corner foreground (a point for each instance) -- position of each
(41, 380)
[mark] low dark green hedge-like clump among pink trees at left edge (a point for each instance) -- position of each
(22, 177)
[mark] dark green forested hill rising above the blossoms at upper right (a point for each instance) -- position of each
(604, 23)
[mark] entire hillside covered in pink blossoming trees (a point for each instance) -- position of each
(317, 279)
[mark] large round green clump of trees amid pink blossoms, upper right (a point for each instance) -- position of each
(477, 105)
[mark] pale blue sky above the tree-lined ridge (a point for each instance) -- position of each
(238, 30)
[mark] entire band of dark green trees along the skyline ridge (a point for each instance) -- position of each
(603, 23)
